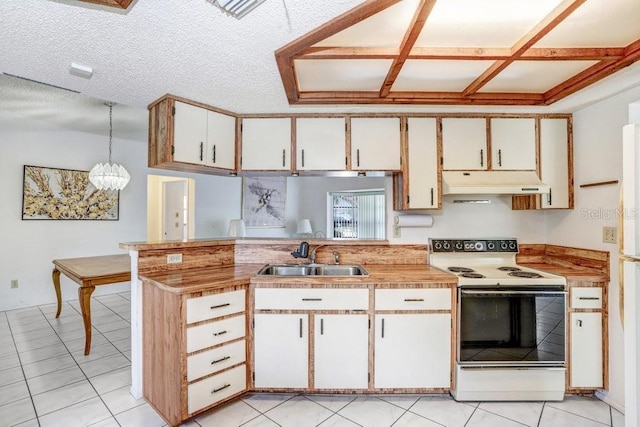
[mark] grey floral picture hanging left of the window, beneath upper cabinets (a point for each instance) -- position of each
(264, 201)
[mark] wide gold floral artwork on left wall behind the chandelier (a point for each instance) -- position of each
(50, 193)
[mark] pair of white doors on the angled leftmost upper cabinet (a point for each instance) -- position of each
(203, 137)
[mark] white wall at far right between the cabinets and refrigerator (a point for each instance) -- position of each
(597, 139)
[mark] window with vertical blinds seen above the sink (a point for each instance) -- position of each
(356, 214)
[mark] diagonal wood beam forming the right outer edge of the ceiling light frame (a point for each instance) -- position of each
(593, 74)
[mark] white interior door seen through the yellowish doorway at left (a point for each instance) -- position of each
(174, 195)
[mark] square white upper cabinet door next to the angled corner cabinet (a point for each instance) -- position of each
(266, 144)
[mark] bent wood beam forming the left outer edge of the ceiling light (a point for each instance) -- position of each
(284, 55)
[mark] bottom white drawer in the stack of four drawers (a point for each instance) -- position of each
(216, 388)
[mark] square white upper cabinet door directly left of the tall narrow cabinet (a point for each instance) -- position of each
(375, 143)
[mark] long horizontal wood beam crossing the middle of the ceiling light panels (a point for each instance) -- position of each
(465, 53)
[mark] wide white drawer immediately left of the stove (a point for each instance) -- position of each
(413, 299)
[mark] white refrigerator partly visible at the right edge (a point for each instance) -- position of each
(629, 245)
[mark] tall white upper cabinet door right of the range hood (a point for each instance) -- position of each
(554, 162)
